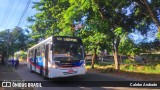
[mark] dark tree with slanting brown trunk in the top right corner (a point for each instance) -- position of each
(148, 12)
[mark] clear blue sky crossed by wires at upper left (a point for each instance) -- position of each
(14, 12)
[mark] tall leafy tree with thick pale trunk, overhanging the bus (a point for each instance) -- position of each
(108, 17)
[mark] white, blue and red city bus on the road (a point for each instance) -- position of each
(57, 56)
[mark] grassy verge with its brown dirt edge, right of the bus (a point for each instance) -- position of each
(135, 71)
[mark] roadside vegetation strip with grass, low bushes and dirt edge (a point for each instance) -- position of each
(145, 70)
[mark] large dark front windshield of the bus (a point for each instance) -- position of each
(68, 52)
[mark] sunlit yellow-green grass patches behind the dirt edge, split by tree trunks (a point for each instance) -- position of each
(128, 67)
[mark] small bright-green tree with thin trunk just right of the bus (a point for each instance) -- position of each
(93, 41)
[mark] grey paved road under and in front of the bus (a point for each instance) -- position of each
(25, 74)
